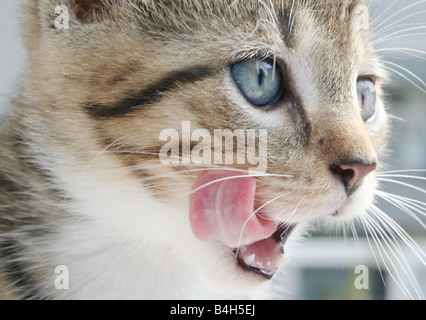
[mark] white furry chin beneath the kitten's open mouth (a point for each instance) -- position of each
(223, 271)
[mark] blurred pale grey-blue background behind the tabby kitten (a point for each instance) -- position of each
(324, 265)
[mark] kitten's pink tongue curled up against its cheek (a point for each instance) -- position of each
(223, 210)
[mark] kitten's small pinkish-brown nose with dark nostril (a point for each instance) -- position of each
(352, 174)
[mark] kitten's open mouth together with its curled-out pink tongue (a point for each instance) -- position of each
(222, 209)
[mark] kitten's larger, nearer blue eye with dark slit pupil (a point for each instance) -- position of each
(260, 81)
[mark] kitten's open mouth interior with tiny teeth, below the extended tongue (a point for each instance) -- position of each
(264, 257)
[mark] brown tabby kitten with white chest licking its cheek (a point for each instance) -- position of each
(84, 193)
